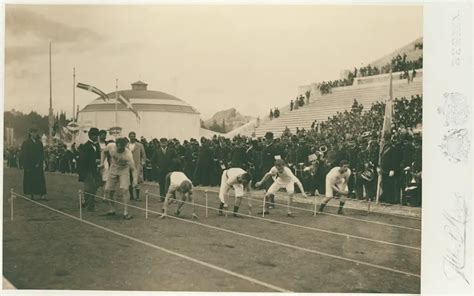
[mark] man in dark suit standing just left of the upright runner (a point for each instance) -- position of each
(89, 159)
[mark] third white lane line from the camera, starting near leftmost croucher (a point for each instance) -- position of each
(306, 227)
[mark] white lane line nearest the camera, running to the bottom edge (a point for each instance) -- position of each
(209, 265)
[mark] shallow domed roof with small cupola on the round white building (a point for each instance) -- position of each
(142, 100)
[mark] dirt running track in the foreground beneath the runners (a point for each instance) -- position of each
(43, 249)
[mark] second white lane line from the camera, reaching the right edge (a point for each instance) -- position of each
(280, 243)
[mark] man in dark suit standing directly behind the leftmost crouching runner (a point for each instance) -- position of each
(163, 160)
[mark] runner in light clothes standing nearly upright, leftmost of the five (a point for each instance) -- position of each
(119, 174)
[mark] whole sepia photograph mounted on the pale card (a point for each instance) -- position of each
(213, 148)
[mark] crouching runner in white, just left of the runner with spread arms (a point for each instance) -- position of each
(238, 179)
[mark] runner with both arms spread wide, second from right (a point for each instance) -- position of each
(284, 178)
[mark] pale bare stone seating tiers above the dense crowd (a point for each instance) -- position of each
(322, 107)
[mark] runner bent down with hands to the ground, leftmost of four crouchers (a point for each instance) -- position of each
(176, 183)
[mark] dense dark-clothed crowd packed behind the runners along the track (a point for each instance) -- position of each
(352, 135)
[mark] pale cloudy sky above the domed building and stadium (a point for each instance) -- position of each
(251, 57)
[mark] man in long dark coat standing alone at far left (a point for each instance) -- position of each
(32, 159)
